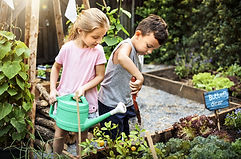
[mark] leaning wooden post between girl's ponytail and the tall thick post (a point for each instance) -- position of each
(58, 22)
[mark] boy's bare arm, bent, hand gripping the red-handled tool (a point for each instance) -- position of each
(124, 60)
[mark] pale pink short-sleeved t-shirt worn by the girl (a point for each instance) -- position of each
(78, 69)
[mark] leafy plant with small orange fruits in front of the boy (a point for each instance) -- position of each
(132, 146)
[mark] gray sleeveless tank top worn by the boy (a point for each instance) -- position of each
(115, 86)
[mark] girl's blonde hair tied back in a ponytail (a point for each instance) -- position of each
(87, 21)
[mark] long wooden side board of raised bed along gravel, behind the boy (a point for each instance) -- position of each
(174, 87)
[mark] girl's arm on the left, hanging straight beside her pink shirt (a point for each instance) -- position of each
(54, 75)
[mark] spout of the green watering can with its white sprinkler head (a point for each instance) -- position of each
(121, 108)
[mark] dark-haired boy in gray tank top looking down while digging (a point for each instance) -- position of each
(122, 65)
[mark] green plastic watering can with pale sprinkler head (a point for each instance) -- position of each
(66, 116)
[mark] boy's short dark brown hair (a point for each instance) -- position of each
(154, 24)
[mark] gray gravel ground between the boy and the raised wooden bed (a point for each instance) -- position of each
(159, 109)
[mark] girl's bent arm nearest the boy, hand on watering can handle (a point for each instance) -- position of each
(100, 73)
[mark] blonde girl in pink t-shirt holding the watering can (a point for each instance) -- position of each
(83, 62)
